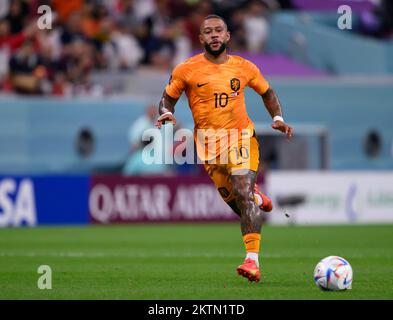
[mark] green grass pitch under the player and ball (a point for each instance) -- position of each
(190, 261)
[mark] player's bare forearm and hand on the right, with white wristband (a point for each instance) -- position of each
(272, 104)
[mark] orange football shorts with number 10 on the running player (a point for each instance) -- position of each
(243, 157)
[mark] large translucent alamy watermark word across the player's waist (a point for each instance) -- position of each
(223, 146)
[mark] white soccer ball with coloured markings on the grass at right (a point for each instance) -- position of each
(333, 273)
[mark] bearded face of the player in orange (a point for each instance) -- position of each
(214, 36)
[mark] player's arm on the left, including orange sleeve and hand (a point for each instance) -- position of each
(171, 94)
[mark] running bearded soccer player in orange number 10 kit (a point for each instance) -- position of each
(214, 83)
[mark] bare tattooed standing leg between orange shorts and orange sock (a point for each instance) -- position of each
(251, 217)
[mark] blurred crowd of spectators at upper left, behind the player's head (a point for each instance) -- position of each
(88, 35)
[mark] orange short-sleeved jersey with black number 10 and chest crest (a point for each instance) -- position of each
(215, 92)
